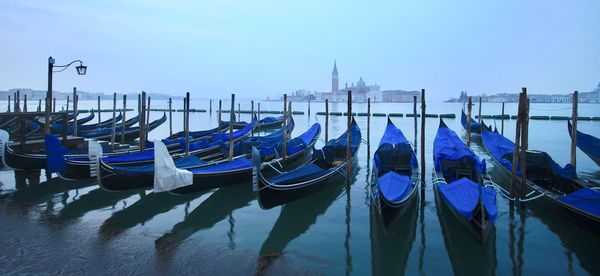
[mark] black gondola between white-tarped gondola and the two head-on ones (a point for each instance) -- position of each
(327, 164)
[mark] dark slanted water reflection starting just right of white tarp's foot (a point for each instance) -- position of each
(214, 209)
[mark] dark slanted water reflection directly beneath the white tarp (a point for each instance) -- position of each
(147, 207)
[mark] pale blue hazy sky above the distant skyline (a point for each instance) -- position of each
(260, 48)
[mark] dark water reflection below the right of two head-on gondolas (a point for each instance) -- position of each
(467, 255)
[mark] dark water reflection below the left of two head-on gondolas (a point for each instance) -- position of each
(391, 247)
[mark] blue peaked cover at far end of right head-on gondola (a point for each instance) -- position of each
(448, 146)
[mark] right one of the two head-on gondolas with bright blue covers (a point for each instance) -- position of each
(458, 184)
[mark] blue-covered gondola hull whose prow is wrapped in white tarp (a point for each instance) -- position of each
(224, 173)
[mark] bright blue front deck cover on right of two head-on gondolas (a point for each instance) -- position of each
(461, 195)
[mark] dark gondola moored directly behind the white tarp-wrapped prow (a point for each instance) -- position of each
(119, 177)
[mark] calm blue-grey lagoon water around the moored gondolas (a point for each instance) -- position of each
(76, 227)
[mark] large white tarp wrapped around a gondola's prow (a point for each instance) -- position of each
(166, 176)
